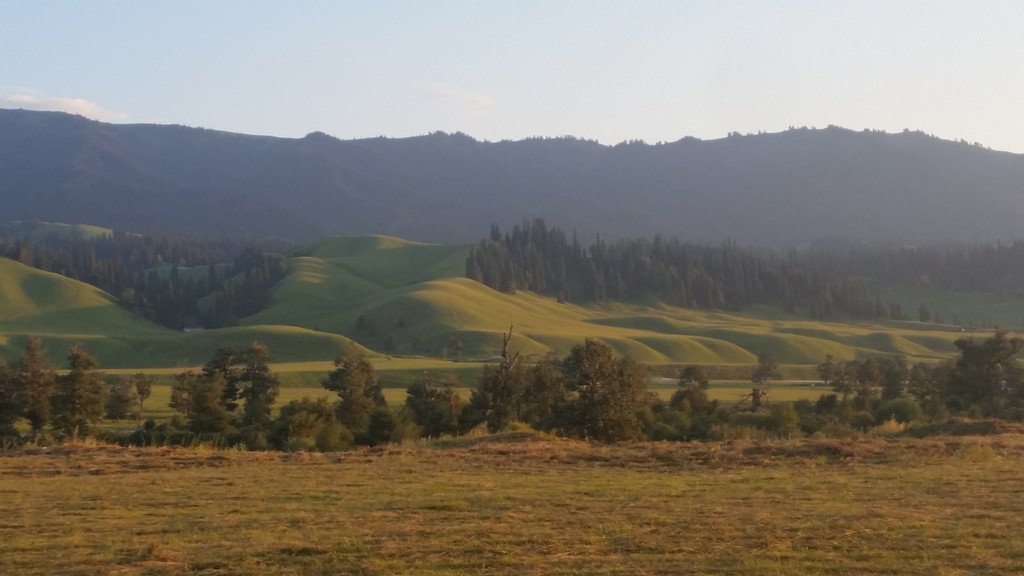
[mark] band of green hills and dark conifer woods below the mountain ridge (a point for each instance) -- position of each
(659, 301)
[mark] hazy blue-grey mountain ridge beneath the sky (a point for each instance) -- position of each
(782, 189)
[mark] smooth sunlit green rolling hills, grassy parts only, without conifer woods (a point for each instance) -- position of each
(397, 299)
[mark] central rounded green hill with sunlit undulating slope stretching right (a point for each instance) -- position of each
(412, 298)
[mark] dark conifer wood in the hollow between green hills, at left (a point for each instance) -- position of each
(176, 282)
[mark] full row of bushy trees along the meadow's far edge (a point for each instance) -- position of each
(590, 394)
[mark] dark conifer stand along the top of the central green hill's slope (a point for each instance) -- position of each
(546, 261)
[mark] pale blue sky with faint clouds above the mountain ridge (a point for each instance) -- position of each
(650, 70)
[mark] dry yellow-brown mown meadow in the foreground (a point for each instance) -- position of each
(518, 504)
